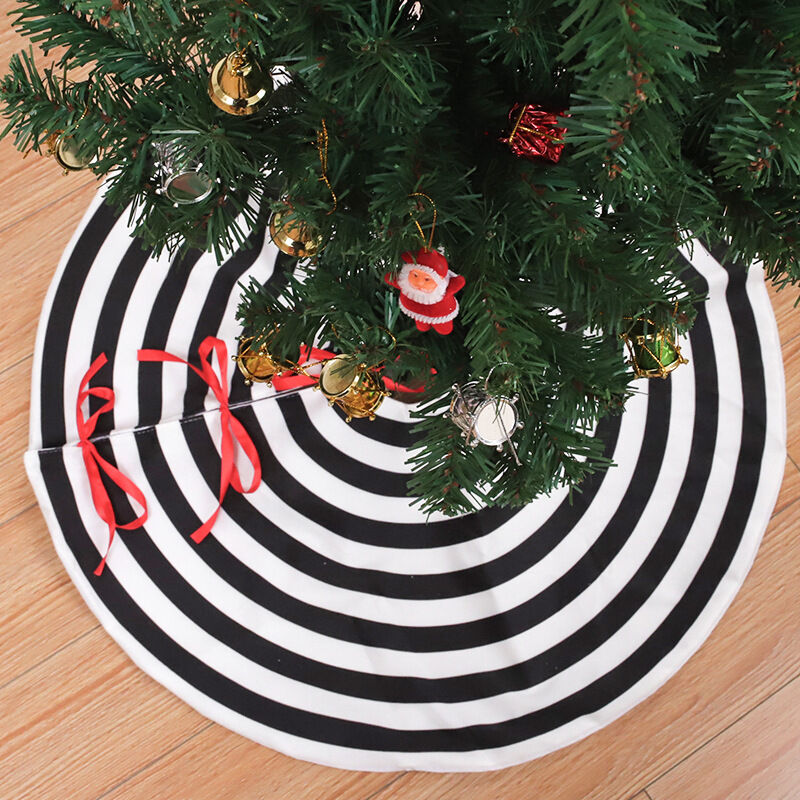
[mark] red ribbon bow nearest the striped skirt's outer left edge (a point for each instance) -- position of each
(94, 462)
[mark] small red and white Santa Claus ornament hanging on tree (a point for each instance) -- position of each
(427, 290)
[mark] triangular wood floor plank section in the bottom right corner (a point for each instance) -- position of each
(758, 757)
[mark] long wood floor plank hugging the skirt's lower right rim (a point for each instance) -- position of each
(754, 650)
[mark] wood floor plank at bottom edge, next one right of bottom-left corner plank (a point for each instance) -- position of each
(254, 770)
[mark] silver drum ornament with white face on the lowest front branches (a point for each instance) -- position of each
(484, 418)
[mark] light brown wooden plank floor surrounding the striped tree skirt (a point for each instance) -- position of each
(78, 721)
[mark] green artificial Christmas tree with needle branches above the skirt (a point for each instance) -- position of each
(566, 151)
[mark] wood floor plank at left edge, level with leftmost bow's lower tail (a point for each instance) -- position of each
(41, 609)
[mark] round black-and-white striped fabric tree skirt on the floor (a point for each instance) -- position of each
(322, 617)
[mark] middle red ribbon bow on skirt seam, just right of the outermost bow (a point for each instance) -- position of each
(232, 430)
